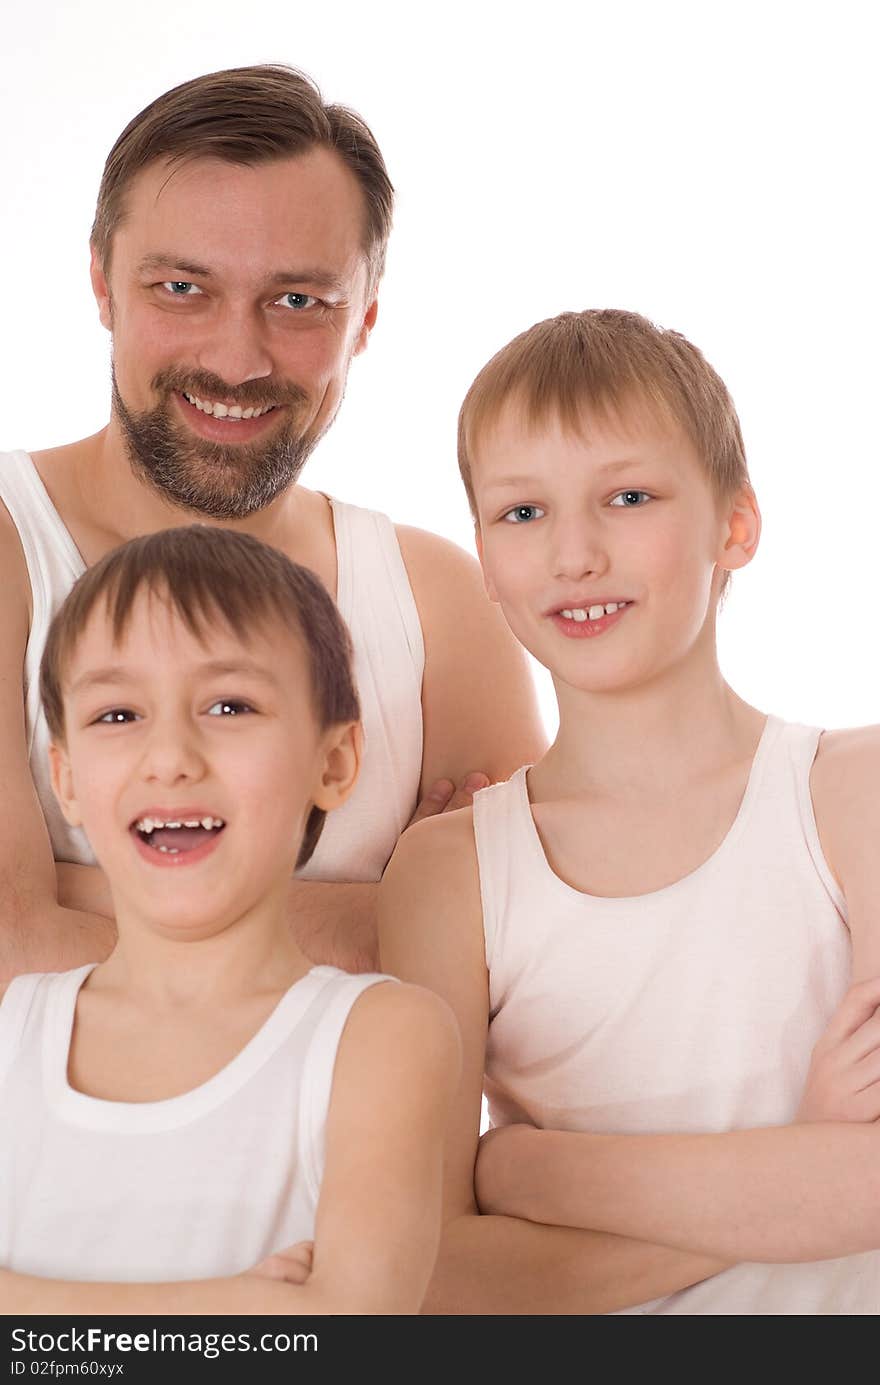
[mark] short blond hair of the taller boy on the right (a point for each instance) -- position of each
(604, 362)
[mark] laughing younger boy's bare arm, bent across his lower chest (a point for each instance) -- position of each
(379, 1214)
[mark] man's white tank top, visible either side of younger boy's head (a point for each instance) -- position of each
(376, 600)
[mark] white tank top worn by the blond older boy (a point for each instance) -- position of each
(692, 1009)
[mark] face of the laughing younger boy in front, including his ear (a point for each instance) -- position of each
(220, 739)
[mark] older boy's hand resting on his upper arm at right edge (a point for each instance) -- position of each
(845, 1074)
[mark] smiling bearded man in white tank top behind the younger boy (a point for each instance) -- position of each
(236, 254)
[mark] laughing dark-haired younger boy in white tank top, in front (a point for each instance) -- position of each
(204, 1099)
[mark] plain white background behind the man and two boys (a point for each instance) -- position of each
(710, 166)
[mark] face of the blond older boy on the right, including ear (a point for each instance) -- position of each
(604, 546)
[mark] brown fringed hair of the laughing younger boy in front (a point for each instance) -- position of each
(211, 577)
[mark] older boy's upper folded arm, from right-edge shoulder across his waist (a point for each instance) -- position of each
(798, 1193)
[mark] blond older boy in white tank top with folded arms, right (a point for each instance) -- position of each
(645, 936)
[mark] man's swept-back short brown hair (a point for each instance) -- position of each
(246, 116)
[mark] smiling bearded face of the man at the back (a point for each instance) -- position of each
(236, 298)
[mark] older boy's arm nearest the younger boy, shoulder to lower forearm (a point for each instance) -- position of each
(432, 933)
